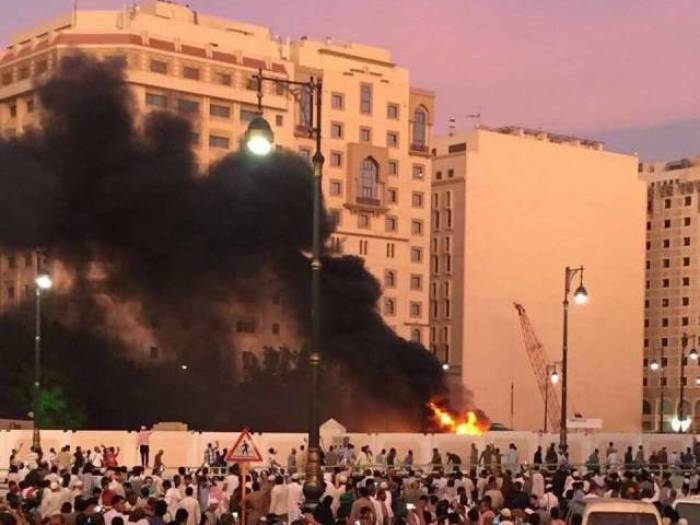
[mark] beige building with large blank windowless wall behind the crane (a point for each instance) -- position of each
(511, 209)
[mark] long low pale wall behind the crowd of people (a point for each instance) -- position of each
(187, 447)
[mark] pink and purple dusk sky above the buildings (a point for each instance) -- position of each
(571, 66)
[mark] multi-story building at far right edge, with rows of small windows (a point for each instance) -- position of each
(672, 307)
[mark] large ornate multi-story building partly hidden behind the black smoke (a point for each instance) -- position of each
(377, 128)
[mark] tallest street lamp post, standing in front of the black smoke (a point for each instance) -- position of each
(258, 140)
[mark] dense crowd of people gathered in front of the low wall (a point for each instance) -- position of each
(90, 487)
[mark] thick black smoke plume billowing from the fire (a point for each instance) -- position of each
(119, 202)
